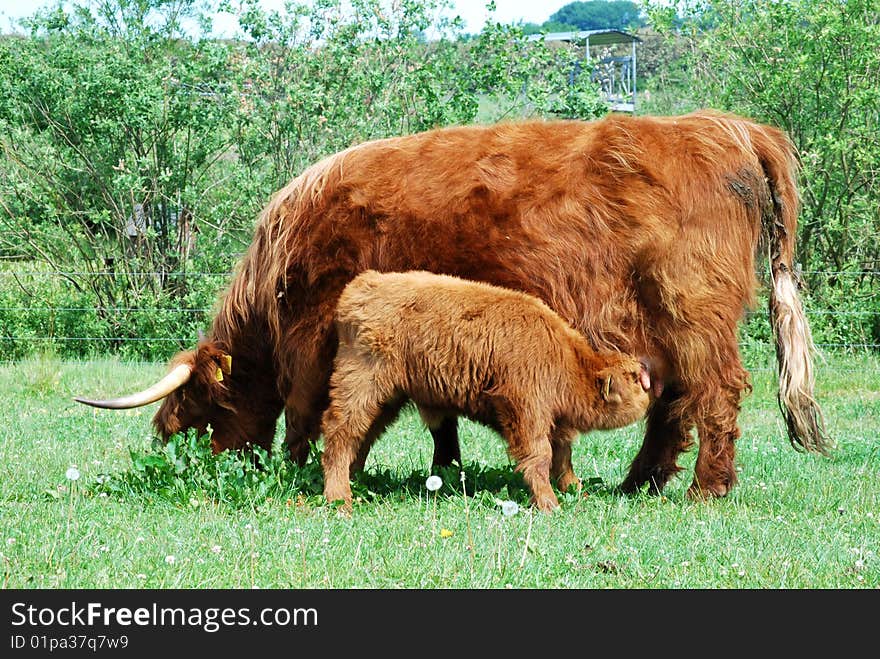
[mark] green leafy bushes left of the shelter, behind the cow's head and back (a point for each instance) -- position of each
(134, 148)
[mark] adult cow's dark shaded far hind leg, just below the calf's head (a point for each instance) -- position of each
(667, 435)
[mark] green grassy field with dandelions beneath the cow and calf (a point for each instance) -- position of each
(144, 517)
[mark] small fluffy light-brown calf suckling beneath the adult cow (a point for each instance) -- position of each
(498, 356)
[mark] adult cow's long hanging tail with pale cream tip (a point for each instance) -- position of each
(794, 342)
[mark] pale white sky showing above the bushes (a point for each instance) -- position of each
(473, 12)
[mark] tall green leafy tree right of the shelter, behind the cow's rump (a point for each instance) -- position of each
(811, 67)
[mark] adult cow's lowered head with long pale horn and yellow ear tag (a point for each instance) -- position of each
(198, 392)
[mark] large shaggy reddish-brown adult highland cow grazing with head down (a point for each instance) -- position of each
(640, 232)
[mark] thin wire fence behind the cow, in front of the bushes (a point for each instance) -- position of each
(862, 325)
